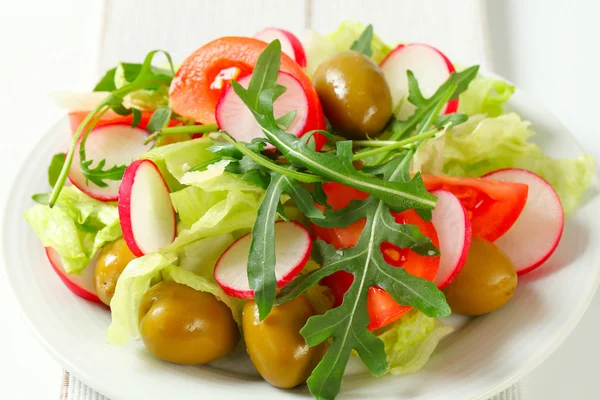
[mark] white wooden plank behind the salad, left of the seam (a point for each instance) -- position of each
(134, 27)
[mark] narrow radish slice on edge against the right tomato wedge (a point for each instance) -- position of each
(453, 226)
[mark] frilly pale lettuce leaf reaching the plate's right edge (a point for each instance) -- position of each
(482, 145)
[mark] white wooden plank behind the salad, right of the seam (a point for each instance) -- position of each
(455, 27)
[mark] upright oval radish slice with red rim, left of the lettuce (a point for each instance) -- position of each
(147, 216)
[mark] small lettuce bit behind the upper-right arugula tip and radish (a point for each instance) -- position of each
(485, 96)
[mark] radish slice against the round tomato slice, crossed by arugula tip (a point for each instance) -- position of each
(234, 117)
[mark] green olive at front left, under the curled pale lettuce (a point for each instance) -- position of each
(184, 326)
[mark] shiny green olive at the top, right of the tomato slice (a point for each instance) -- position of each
(354, 93)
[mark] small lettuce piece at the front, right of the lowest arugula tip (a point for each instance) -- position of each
(410, 341)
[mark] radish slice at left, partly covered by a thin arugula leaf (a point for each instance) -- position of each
(118, 144)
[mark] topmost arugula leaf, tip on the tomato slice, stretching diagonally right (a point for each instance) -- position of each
(335, 167)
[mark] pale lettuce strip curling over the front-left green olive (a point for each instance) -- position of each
(141, 274)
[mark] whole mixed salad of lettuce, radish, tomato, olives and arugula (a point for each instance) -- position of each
(303, 204)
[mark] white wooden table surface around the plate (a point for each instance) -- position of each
(548, 47)
